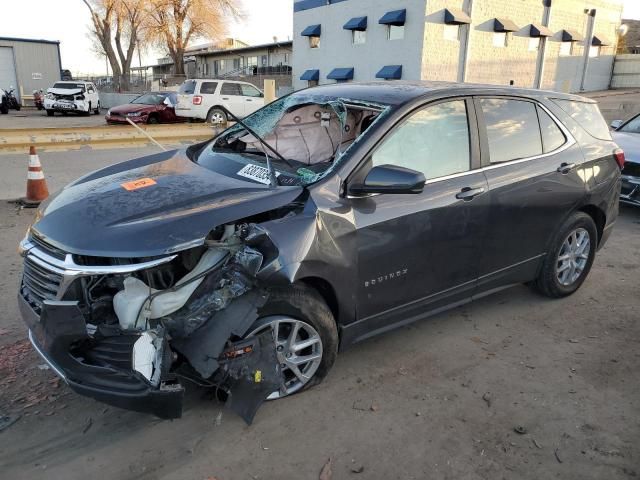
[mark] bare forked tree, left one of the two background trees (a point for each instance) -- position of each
(118, 26)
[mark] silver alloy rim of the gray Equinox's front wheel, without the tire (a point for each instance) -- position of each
(298, 348)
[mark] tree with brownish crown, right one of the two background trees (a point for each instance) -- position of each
(174, 23)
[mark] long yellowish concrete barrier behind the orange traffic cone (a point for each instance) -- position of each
(107, 136)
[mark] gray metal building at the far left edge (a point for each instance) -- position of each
(29, 64)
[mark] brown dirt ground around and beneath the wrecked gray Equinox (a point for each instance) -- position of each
(441, 399)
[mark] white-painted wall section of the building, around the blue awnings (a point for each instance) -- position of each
(336, 48)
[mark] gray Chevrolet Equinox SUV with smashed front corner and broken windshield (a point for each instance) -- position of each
(329, 216)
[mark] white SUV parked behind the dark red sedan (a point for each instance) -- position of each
(211, 99)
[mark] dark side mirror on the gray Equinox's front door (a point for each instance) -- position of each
(390, 179)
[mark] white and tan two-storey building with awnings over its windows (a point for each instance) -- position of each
(563, 45)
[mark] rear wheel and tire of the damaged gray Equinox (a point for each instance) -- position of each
(556, 279)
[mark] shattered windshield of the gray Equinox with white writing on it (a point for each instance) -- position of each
(310, 132)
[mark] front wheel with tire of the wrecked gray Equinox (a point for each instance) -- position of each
(305, 306)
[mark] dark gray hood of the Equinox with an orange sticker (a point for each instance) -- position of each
(97, 215)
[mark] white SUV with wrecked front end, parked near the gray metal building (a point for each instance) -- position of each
(72, 96)
